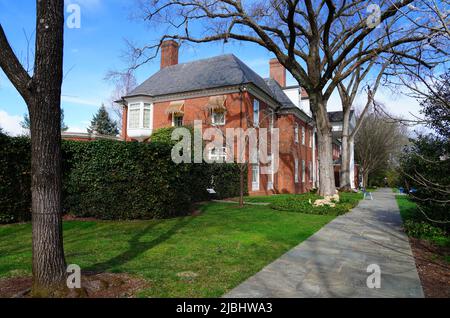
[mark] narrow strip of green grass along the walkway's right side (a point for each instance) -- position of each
(415, 223)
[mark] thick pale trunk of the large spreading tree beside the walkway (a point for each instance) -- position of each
(327, 185)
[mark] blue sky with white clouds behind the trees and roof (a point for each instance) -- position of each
(98, 46)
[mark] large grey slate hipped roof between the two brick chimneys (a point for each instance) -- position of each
(215, 72)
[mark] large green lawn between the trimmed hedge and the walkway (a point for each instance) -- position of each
(223, 246)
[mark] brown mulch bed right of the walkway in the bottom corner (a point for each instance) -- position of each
(433, 270)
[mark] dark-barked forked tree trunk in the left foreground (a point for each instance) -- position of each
(42, 93)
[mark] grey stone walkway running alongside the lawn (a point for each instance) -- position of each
(333, 262)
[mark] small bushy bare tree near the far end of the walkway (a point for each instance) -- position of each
(376, 142)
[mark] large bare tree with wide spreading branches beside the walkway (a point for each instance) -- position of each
(312, 39)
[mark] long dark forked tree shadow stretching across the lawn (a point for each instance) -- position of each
(136, 247)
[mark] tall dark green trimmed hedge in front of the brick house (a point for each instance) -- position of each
(114, 180)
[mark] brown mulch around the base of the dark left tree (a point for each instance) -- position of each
(103, 285)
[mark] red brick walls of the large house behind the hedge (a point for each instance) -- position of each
(195, 109)
